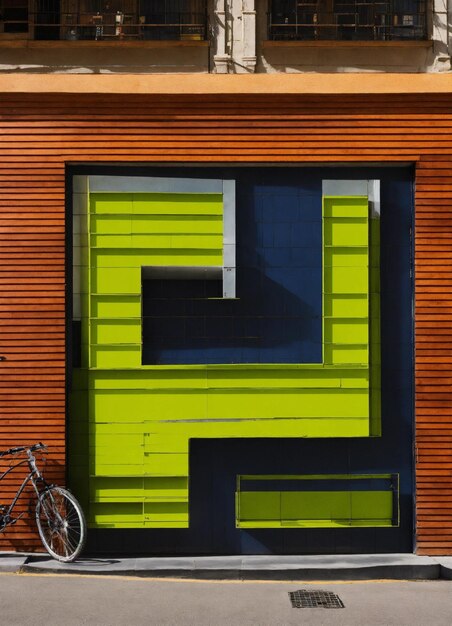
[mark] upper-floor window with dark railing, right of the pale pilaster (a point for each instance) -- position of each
(347, 20)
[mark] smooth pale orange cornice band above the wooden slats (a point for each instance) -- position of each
(203, 84)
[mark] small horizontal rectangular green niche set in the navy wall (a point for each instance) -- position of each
(328, 501)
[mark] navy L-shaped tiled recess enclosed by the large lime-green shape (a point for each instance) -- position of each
(276, 317)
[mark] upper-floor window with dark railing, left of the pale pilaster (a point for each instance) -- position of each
(103, 20)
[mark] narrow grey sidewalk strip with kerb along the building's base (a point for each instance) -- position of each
(330, 567)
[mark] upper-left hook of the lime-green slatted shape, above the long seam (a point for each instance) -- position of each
(126, 232)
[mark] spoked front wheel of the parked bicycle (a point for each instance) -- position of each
(61, 524)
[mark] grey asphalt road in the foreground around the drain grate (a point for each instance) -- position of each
(65, 600)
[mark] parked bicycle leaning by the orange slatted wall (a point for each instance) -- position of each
(59, 517)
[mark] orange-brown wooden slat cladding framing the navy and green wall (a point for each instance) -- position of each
(41, 134)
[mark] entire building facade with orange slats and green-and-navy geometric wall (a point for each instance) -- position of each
(226, 299)
